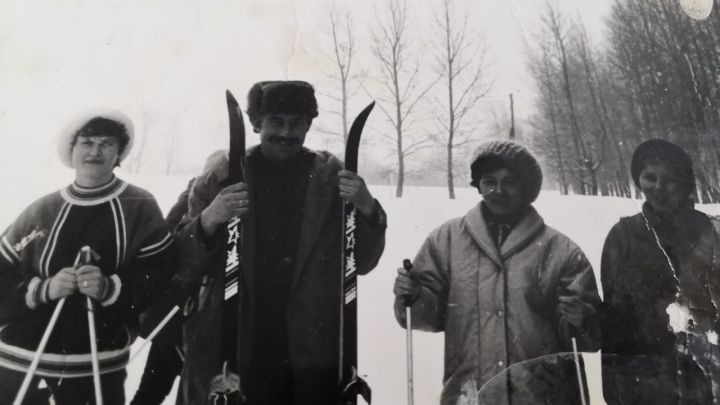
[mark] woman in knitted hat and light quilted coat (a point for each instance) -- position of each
(504, 288)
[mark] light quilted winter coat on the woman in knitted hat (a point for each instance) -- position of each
(498, 307)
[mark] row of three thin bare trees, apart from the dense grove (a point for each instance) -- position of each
(443, 79)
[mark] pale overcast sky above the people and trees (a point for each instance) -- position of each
(167, 63)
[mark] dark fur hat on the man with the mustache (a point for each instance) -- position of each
(289, 97)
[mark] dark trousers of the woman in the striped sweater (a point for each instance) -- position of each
(64, 391)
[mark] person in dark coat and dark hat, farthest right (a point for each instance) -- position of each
(659, 278)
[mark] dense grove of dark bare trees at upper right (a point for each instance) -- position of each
(654, 74)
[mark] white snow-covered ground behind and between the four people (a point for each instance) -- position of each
(586, 220)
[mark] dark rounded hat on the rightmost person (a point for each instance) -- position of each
(661, 151)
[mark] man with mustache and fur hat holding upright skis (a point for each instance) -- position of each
(291, 205)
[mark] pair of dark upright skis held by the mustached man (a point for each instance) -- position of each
(226, 386)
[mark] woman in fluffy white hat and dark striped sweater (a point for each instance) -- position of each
(123, 226)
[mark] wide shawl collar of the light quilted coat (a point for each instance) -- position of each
(524, 232)
